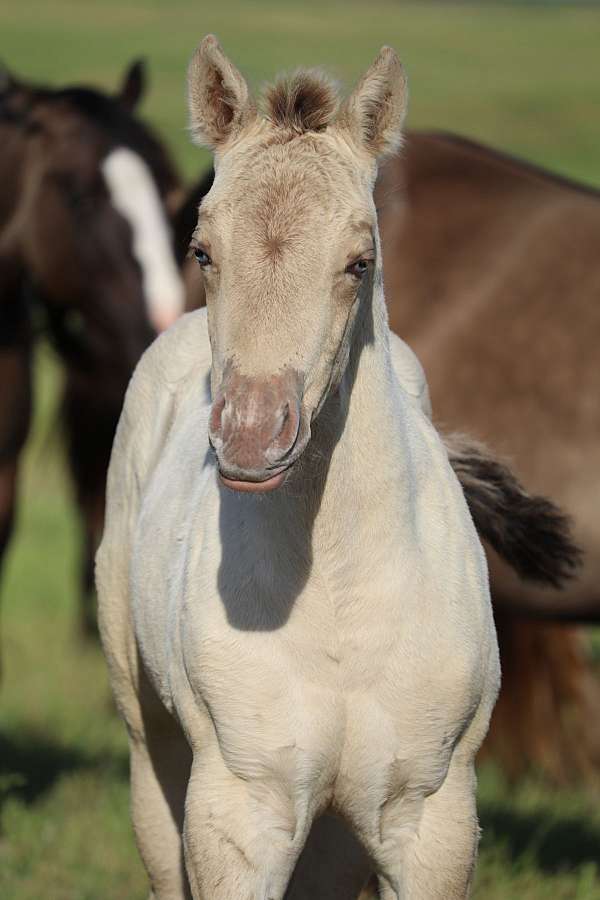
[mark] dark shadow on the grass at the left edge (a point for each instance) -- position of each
(32, 763)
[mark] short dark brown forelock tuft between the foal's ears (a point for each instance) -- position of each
(304, 101)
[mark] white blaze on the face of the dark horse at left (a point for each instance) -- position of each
(135, 196)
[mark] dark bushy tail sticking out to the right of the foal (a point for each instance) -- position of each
(529, 532)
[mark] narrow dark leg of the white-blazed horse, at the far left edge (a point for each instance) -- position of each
(15, 416)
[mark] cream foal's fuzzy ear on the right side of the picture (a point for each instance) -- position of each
(374, 112)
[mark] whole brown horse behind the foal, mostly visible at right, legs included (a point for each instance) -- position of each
(491, 275)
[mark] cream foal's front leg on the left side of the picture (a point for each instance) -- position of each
(241, 840)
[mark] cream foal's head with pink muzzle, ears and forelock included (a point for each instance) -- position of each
(287, 241)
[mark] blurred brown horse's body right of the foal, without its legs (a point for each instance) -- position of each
(492, 272)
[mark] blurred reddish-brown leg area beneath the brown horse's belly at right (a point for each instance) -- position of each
(546, 717)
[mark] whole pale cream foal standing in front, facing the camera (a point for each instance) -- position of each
(300, 622)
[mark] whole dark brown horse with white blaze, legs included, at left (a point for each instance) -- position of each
(84, 243)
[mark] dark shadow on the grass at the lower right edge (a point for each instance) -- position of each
(554, 844)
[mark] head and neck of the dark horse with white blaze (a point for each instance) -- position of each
(87, 222)
